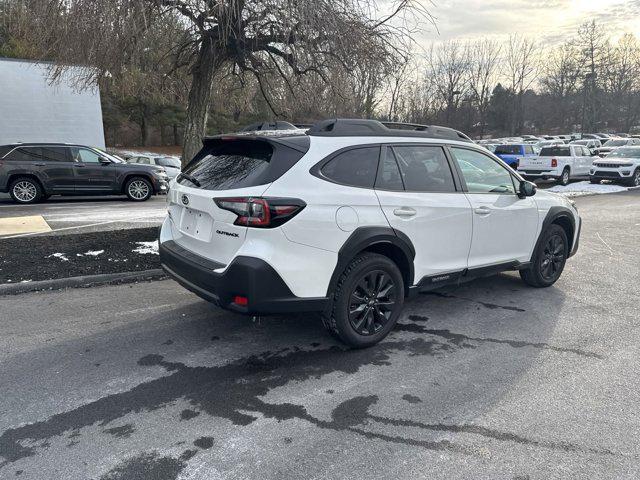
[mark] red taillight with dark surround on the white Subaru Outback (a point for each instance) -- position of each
(261, 212)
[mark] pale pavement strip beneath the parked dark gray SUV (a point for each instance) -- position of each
(70, 215)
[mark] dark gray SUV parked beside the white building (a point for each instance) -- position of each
(31, 172)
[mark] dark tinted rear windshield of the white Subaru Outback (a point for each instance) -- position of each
(225, 164)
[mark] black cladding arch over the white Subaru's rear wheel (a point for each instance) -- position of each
(383, 240)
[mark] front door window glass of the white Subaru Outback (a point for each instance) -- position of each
(482, 174)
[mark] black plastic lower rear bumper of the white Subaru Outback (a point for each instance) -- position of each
(248, 277)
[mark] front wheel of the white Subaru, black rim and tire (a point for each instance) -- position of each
(549, 258)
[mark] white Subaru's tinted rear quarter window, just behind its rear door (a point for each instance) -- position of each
(356, 167)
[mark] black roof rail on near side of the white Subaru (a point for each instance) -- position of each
(353, 127)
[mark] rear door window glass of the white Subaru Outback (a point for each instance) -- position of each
(424, 168)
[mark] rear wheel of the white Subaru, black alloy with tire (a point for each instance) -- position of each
(373, 289)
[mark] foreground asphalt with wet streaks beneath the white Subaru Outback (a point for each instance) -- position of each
(492, 379)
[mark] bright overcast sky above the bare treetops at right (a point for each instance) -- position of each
(547, 20)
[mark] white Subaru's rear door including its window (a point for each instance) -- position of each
(419, 197)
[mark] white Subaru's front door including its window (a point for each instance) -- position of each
(504, 225)
